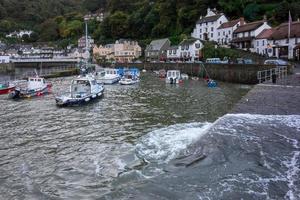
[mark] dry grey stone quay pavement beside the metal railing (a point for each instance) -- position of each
(282, 98)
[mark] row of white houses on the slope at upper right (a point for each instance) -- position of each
(257, 37)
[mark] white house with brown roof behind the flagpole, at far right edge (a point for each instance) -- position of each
(284, 47)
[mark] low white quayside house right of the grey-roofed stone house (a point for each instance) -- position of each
(190, 50)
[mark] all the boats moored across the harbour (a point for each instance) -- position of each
(88, 87)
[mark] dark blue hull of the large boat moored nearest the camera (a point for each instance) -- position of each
(60, 102)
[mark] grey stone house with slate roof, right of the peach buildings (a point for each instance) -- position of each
(157, 50)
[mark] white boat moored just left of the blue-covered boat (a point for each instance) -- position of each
(107, 76)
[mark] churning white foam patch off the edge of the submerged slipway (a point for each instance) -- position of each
(165, 144)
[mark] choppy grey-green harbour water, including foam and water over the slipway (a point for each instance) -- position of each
(130, 138)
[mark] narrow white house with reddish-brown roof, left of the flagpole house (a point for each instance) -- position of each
(262, 44)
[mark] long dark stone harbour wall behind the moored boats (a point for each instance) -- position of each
(233, 73)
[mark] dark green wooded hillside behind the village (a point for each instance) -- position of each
(62, 20)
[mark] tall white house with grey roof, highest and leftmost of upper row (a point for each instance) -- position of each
(206, 27)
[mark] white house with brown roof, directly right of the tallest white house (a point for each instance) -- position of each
(225, 31)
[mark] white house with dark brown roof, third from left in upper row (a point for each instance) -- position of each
(244, 35)
